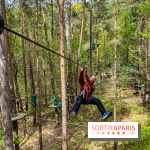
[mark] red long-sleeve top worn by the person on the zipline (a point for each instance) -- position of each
(86, 85)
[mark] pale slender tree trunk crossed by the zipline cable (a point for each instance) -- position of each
(63, 80)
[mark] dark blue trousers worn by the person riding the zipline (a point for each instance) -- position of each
(91, 100)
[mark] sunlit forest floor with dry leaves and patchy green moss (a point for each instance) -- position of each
(129, 108)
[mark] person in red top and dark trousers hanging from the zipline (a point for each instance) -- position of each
(86, 95)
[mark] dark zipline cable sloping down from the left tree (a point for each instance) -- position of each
(40, 45)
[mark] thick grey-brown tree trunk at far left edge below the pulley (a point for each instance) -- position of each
(5, 94)
